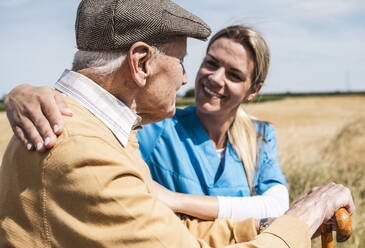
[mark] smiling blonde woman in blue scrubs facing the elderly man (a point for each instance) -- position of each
(215, 148)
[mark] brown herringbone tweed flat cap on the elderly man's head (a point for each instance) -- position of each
(114, 25)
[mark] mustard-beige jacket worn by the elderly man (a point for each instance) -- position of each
(90, 191)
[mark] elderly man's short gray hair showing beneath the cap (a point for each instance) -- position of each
(101, 62)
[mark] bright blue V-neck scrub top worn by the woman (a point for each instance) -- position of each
(181, 157)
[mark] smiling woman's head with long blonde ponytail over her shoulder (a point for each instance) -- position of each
(233, 70)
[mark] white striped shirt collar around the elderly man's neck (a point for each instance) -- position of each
(111, 111)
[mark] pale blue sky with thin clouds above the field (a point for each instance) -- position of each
(316, 45)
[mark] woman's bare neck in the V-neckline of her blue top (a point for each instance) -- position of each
(216, 126)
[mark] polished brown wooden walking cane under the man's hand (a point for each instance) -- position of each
(344, 229)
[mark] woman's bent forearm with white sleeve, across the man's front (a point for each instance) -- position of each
(274, 202)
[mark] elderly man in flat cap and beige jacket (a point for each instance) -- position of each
(93, 188)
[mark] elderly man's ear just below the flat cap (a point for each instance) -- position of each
(138, 56)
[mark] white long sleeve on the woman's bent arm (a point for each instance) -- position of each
(273, 203)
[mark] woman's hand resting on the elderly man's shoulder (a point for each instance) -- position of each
(35, 115)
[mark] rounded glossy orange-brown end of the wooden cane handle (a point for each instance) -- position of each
(344, 225)
